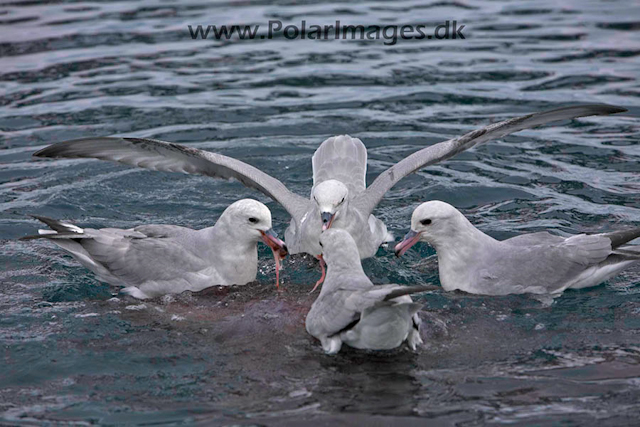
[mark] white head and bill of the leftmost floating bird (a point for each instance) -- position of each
(250, 220)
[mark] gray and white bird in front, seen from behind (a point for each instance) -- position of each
(352, 310)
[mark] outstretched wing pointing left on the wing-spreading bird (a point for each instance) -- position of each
(168, 157)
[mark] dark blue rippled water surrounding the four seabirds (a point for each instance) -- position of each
(241, 355)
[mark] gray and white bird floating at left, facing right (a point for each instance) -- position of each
(154, 260)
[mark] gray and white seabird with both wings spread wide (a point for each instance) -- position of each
(339, 197)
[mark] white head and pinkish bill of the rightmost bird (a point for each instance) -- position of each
(434, 222)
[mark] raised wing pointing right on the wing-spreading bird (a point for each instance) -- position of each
(444, 150)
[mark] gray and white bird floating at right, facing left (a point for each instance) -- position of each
(537, 263)
